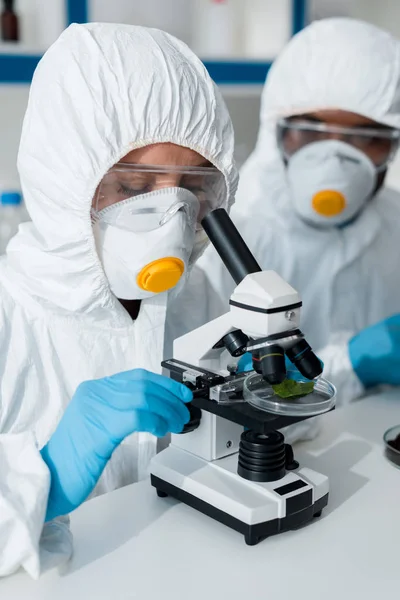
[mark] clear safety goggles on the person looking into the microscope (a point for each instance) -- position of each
(125, 182)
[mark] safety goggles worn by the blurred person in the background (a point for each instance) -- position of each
(380, 145)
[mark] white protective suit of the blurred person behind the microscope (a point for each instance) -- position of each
(348, 278)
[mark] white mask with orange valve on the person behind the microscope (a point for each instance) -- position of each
(330, 182)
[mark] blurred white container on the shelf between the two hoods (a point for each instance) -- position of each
(215, 28)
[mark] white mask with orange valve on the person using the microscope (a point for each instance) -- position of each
(145, 242)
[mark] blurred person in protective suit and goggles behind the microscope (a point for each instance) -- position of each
(312, 201)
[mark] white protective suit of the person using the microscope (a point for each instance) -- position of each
(99, 92)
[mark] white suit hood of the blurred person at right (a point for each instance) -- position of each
(332, 64)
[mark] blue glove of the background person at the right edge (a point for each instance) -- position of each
(375, 353)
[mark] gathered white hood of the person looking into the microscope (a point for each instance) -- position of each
(99, 92)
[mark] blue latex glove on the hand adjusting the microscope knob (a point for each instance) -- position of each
(101, 414)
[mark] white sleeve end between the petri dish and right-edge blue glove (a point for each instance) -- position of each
(338, 368)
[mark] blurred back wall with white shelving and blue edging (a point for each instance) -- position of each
(237, 39)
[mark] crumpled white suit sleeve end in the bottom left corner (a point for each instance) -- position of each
(24, 487)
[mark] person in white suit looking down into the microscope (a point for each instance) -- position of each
(126, 144)
